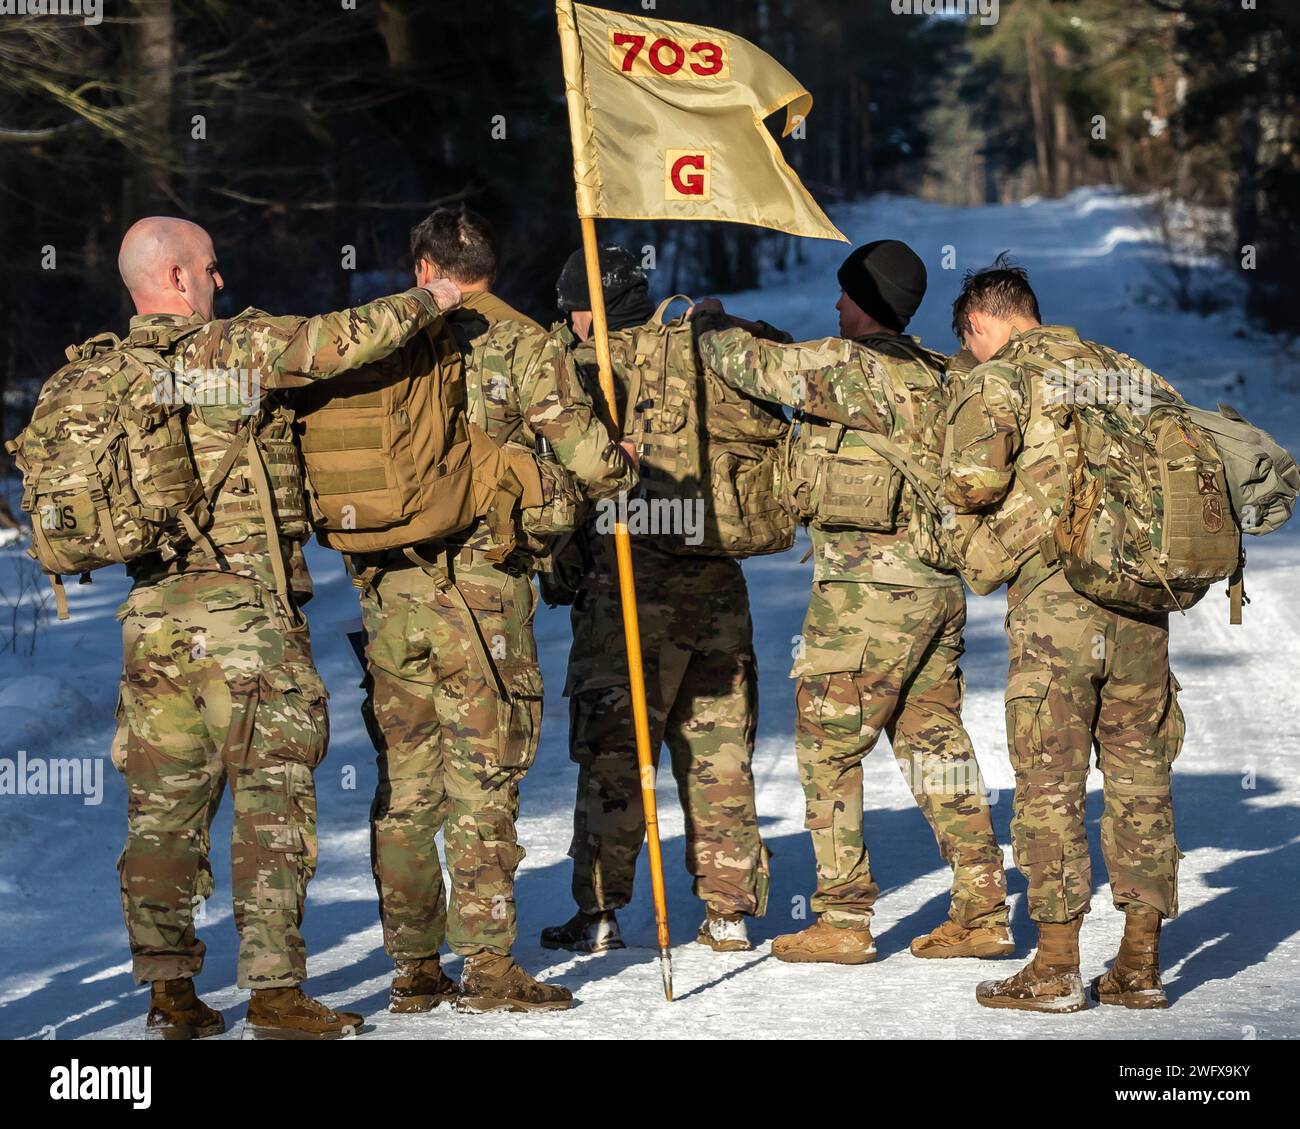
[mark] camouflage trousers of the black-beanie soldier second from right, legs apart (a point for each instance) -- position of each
(886, 659)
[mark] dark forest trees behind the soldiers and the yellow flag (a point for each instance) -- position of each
(293, 131)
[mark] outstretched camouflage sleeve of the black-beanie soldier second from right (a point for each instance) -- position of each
(833, 379)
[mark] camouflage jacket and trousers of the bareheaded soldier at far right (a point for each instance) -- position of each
(1080, 674)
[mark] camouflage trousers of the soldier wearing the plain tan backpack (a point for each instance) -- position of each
(456, 725)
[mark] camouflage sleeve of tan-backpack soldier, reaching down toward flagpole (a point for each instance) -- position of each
(558, 409)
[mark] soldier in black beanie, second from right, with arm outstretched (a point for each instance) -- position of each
(883, 635)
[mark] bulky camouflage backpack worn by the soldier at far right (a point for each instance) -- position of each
(1149, 524)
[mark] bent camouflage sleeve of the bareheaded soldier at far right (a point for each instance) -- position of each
(983, 439)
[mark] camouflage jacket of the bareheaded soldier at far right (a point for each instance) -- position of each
(1009, 449)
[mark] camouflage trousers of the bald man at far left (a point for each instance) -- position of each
(218, 689)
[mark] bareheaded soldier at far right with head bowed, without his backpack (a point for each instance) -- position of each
(1081, 676)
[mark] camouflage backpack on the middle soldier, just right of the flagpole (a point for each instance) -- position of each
(700, 440)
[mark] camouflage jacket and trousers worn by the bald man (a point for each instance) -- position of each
(219, 681)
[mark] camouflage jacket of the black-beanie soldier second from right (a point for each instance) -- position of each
(840, 382)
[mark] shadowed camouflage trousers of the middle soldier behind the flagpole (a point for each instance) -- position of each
(703, 698)
